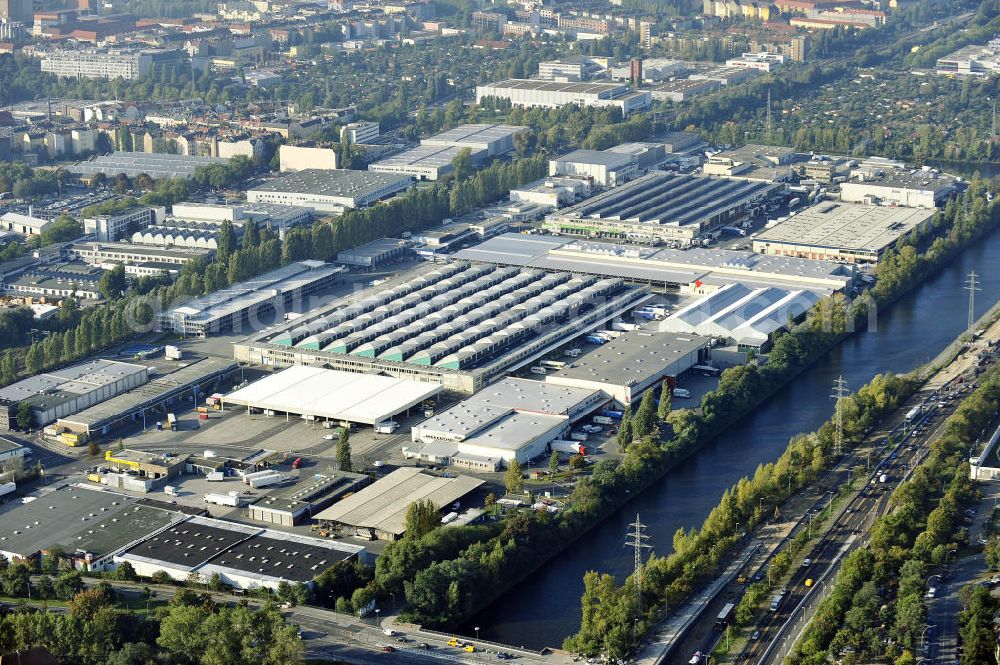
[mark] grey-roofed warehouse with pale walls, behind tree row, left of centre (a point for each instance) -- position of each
(329, 190)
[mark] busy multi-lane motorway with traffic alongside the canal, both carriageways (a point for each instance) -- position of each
(846, 530)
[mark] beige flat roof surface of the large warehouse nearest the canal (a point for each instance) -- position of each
(838, 225)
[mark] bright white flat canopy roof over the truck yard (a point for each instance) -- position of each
(332, 394)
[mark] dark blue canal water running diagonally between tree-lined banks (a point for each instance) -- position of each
(544, 609)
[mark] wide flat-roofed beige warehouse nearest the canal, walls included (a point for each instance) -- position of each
(835, 231)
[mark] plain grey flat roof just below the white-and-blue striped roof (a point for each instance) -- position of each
(632, 357)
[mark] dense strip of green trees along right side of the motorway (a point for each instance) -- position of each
(875, 608)
